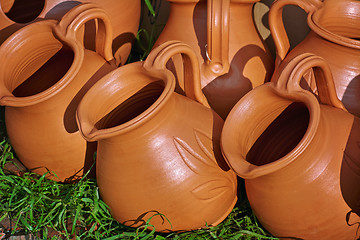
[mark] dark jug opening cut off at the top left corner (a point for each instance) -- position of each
(22, 11)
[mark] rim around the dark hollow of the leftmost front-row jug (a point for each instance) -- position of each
(23, 36)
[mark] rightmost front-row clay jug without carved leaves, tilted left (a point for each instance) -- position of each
(299, 155)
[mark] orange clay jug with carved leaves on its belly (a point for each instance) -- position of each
(158, 157)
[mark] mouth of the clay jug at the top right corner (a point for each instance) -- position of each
(336, 25)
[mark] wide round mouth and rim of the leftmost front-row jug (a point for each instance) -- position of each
(38, 65)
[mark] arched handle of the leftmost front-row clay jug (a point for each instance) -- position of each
(73, 20)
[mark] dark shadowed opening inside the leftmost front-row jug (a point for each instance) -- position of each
(47, 74)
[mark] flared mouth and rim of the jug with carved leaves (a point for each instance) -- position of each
(130, 97)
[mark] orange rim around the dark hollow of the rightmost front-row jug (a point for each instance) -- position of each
(236, 158)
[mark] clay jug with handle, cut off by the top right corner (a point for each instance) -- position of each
(334, 35)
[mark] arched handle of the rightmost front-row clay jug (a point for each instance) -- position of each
(290, 78)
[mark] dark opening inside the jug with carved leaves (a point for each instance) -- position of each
(133, 106)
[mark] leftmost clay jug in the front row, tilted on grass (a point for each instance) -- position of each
(44, 73)
